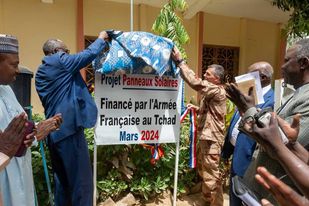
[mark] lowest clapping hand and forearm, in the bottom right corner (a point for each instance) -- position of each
(285, 195)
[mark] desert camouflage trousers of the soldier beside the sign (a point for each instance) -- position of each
(208, 161)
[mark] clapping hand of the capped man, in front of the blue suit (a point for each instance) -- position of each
(47, 126)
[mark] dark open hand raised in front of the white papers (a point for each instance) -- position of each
(242, 101)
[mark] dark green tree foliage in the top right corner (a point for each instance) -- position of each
(298, 24)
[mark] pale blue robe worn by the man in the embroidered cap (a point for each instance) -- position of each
(16, 179)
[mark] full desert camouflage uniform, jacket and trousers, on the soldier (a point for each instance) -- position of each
(210, 130)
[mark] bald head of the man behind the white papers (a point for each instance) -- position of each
(266, 72)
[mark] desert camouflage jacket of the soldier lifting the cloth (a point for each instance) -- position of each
(212, 111)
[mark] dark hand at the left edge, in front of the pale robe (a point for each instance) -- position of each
(11, 138)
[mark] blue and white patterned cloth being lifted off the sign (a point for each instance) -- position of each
(137, 53)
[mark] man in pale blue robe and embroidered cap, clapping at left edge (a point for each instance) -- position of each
(16, 180)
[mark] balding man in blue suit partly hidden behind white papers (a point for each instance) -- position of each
(237, 143)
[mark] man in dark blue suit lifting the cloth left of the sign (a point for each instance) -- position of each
(62, 90)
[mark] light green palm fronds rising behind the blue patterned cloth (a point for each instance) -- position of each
(169, 24)
